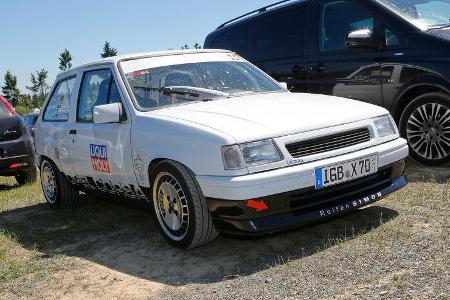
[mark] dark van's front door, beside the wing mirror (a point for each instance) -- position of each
(334, 69)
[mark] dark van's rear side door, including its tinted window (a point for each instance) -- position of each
(279, 45)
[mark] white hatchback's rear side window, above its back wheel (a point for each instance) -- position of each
(59, 103)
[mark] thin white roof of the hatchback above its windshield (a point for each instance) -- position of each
(118, 58)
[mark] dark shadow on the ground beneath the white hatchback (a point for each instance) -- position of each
(125, 238)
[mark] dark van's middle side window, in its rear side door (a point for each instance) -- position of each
(279, 35)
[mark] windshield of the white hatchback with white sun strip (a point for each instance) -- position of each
(155, 85)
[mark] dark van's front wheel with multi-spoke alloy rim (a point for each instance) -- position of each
(425, 124)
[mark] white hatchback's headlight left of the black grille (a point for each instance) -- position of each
(250, 154)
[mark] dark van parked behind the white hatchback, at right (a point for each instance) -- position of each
(393, 53)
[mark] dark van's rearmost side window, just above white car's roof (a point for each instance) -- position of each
(234, 39)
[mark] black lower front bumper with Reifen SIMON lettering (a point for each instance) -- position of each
(304, 206)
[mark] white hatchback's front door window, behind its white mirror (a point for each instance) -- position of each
(94, 91)
